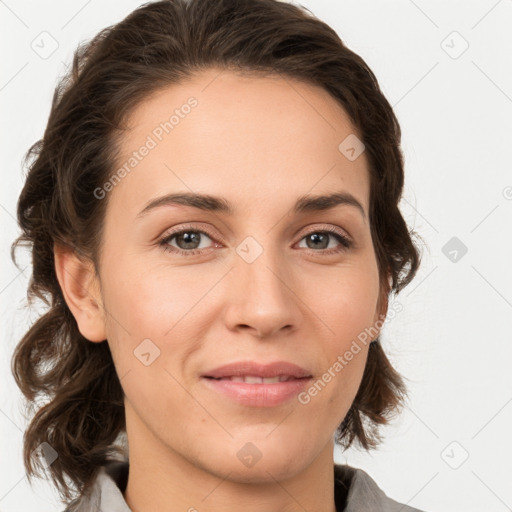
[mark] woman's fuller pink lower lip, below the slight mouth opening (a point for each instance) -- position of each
(258, 395)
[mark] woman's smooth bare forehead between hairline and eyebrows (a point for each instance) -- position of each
(253, 138)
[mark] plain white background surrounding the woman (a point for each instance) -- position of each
(452, 339)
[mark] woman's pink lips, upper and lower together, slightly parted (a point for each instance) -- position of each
(257, 395)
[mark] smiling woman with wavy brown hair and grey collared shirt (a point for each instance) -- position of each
(213, 216)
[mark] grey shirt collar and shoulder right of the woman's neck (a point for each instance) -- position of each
(364, 495)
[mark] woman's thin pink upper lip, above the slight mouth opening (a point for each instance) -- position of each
(243, 368)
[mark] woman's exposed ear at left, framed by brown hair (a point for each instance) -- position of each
(81, 289)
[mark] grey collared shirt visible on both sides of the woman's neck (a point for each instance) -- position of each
(355, 490)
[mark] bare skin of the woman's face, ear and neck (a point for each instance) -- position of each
(261, 142)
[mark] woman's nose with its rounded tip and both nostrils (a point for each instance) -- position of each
(262, 297)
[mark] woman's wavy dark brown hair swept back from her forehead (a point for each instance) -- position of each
(159, 44)
